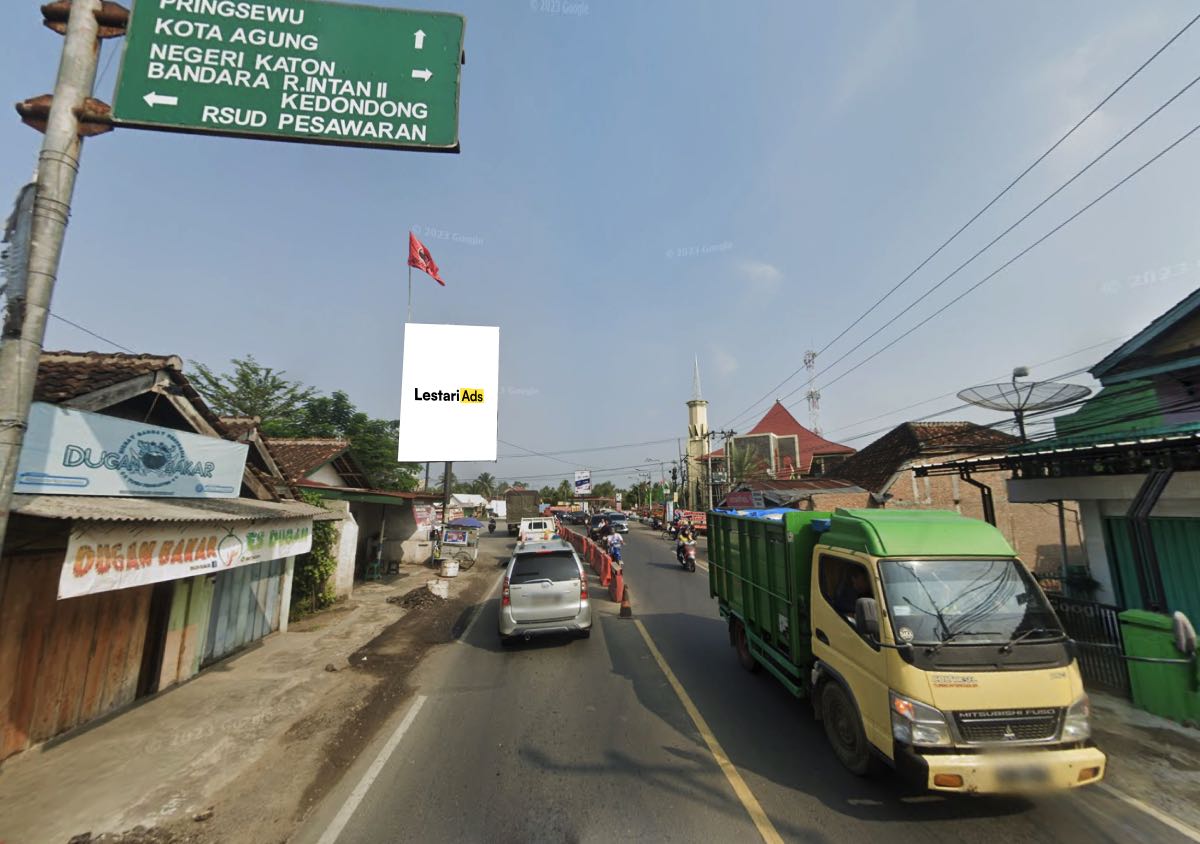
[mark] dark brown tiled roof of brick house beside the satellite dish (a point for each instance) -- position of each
(874, 466)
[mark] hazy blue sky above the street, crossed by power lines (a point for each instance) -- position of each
(645, 183)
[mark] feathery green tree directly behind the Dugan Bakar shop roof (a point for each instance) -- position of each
(251, 391)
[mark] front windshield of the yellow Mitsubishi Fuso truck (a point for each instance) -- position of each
(971, 602)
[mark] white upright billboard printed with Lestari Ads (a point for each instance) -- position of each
(449, 393)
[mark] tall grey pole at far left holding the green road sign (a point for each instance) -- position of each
(57, 169)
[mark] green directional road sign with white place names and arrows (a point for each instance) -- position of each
(293, 70)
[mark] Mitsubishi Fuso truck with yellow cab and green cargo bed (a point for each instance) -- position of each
(922, 641)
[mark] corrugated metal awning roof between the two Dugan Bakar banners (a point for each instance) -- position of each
(116, 508)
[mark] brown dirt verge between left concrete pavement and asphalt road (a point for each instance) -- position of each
(271, 800)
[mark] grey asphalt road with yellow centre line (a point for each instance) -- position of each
(589, 741)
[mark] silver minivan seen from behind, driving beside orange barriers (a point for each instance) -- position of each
(545, 591)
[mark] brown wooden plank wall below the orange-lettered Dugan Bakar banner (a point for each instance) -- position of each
(63, 663)
